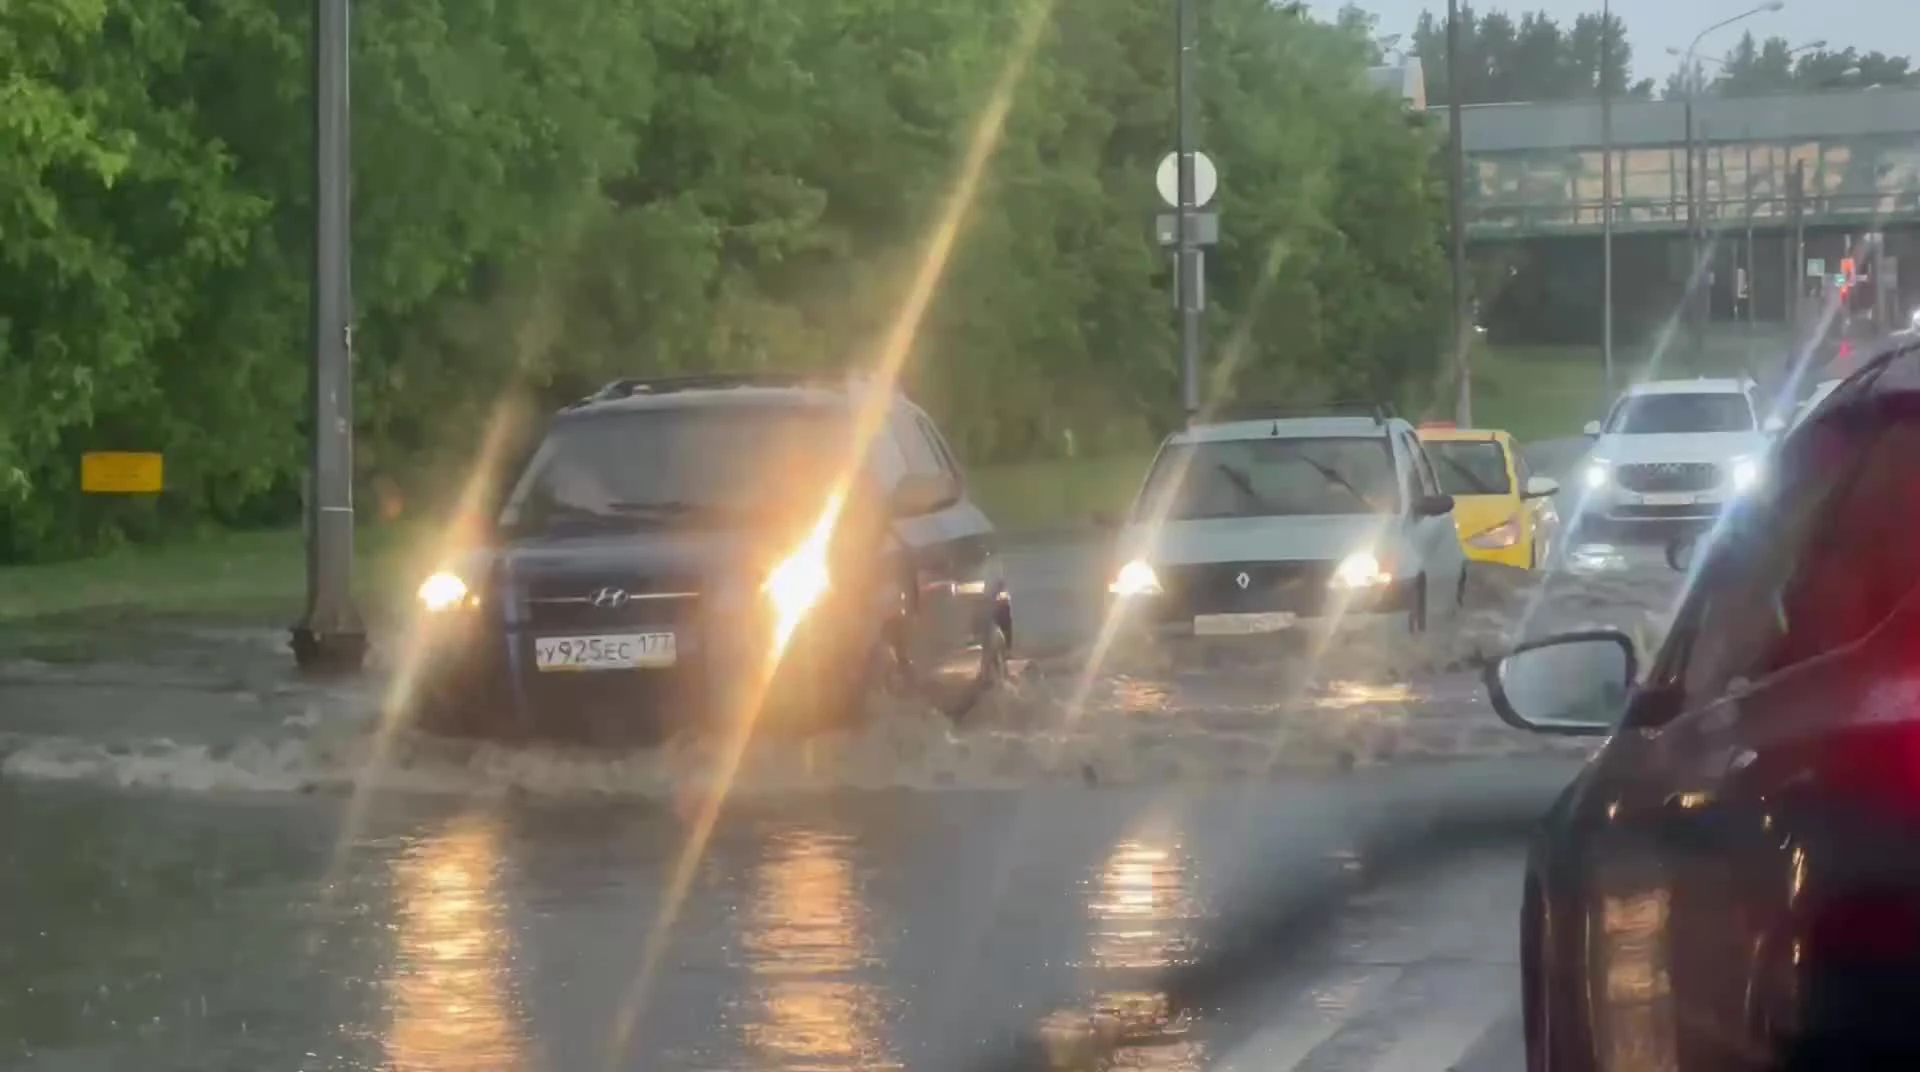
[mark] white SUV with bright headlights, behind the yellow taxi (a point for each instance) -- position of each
(1673, 454)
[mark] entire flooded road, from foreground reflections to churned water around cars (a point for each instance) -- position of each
(907, 896)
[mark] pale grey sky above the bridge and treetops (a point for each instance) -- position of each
(1656, 26)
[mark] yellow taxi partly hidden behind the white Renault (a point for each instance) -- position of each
(1502, 512)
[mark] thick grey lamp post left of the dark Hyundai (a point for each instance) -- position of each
(331, 637)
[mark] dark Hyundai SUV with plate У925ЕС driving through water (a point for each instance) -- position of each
(690, 548)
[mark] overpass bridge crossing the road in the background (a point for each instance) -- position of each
(1535, 178)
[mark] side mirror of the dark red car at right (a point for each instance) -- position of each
(1573, 685)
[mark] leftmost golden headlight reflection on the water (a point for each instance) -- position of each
(452, 996)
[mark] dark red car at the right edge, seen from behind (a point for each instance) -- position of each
(1735, 881)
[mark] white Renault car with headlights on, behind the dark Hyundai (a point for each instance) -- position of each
(1262, 524)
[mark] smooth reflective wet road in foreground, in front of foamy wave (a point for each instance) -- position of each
(875, 931)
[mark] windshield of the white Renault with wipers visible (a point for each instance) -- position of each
(1274, 479)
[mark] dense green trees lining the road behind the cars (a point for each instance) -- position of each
(550, 193)
